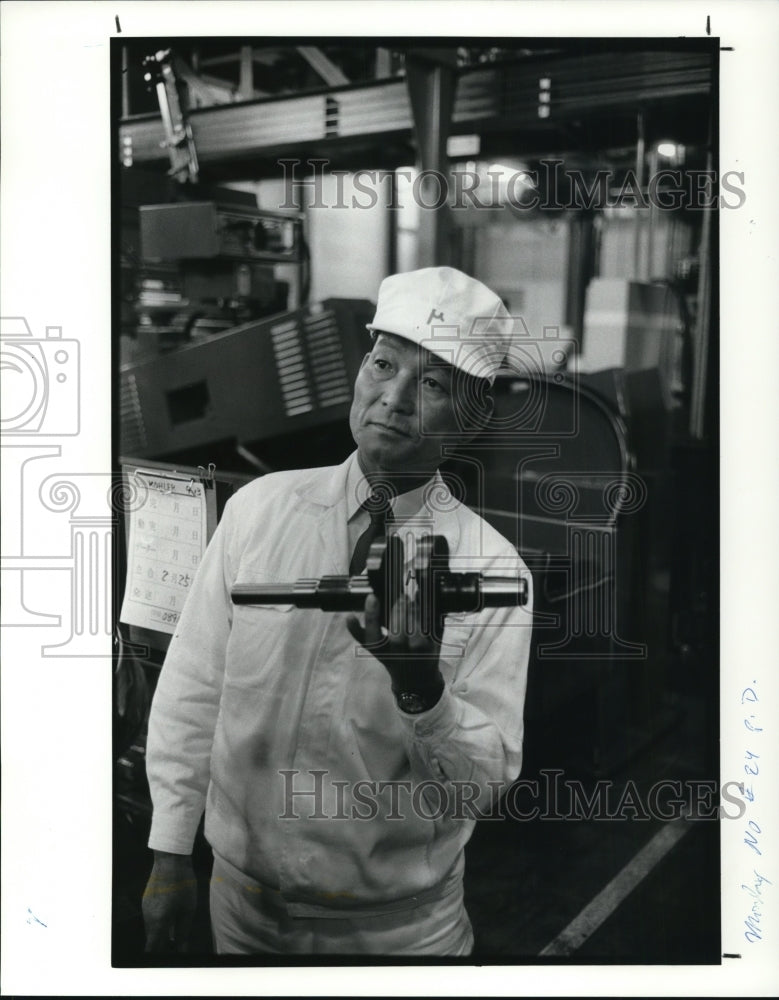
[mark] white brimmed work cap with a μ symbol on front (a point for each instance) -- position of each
(453, 316)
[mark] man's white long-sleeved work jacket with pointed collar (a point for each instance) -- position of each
(315, 785)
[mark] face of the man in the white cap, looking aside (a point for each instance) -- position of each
(400, 389)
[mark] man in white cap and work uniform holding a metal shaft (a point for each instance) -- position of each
(342, 765)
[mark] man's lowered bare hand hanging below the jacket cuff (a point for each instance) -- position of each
(169, 902)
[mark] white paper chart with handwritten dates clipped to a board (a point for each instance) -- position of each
(167, 539)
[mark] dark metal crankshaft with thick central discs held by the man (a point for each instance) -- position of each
(441, 591)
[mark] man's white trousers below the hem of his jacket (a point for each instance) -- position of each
(246, 921)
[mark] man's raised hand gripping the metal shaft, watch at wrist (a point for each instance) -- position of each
(409, 653)
